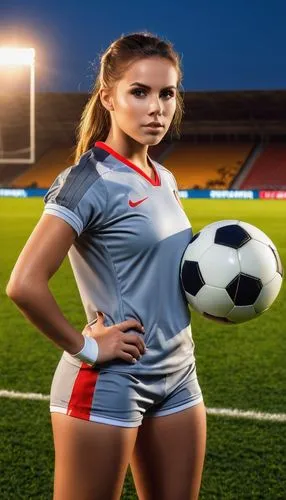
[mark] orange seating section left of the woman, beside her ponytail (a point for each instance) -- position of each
(44, 172)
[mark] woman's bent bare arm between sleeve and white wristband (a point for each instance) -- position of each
(28, 286)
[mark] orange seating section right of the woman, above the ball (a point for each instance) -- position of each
(206, 166)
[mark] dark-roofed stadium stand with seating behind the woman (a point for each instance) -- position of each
(219, 135)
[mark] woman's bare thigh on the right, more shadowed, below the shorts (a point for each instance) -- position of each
(168, 457)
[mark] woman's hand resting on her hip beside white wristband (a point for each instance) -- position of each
(114, 343)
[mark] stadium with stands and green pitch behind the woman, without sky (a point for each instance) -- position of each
(229, 163)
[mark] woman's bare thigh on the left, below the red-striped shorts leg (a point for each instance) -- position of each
(91, 458)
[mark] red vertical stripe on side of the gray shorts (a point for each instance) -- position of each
(82, 393)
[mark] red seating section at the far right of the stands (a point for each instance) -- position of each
(269, 170)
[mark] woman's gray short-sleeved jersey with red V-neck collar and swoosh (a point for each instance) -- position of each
(131, 235)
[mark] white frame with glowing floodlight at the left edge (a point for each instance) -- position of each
(12, 56)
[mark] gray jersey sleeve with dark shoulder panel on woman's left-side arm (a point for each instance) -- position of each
(78, 196)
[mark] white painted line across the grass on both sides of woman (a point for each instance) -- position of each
(222, 412)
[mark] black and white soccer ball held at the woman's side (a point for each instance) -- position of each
(231, 271)
